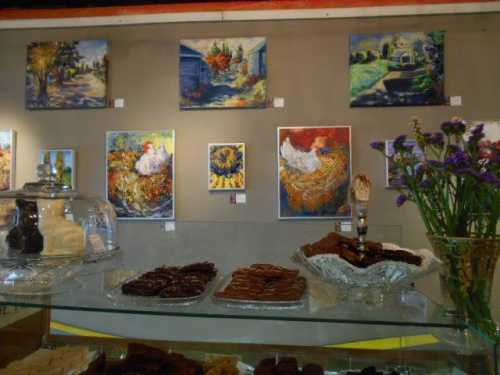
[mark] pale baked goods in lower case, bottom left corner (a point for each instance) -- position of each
(63, 360)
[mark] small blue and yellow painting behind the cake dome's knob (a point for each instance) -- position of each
(62, 164)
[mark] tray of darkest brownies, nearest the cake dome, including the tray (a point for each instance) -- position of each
(166, 285)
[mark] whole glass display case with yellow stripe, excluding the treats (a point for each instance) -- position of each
(404, 331)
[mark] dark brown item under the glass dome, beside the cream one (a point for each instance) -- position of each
(25, 236)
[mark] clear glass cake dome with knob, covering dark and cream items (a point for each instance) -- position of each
(48, 219)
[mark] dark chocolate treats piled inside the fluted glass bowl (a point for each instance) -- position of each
(347, 248)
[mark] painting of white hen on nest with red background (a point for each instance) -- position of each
(314, 170)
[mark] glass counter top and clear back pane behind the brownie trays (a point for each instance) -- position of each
(148, 245)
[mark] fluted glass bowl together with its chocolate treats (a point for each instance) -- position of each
(338, 260)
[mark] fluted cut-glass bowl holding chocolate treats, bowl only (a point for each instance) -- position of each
(371, 282)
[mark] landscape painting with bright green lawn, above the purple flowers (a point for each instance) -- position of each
(397, 69)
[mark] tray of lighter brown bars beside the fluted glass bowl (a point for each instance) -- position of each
(263, 286)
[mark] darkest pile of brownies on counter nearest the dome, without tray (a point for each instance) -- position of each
(172, 282)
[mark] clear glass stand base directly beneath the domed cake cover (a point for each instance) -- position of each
(40, 276)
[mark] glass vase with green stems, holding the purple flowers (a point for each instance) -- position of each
(467, 277)
